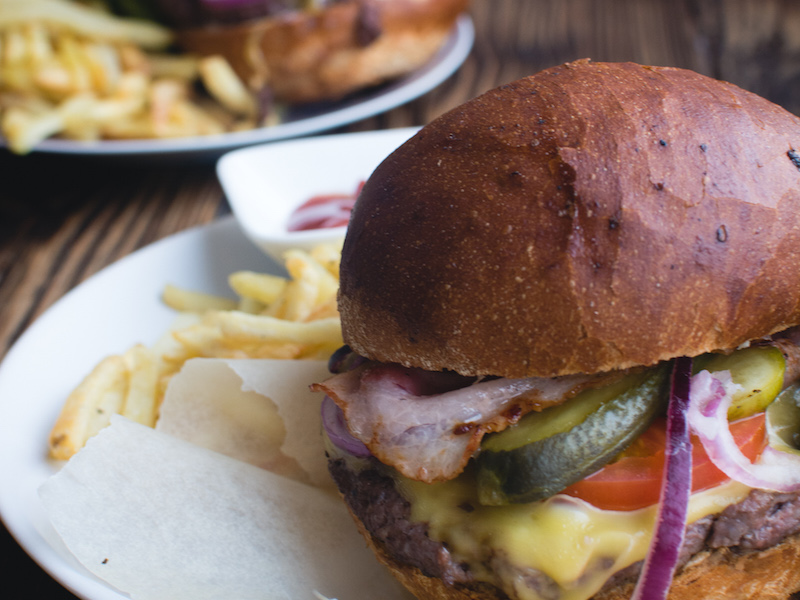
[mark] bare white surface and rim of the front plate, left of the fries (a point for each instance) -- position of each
(108, 313)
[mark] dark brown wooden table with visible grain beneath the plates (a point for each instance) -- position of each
(64, 218)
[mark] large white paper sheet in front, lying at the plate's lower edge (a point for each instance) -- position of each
(157, 517)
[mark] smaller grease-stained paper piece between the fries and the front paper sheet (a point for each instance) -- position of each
(257, 411)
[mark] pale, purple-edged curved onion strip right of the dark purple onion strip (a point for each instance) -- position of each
(708, 418)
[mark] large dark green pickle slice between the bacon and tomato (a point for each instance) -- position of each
(548, 451)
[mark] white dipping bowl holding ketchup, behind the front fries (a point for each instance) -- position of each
(265, 184)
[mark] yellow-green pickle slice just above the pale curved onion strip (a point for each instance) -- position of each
(758, 370)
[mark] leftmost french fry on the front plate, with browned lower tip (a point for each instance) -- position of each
(89, 407)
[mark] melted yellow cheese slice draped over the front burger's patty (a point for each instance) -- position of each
(575, 545)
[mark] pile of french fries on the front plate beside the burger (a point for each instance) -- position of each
(272, 317)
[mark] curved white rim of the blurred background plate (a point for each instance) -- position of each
(306, 121)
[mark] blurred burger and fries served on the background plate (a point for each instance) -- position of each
(141, 69)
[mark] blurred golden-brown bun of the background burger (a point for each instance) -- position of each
(311, 56)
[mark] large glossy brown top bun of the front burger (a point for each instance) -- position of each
(591, 217)
